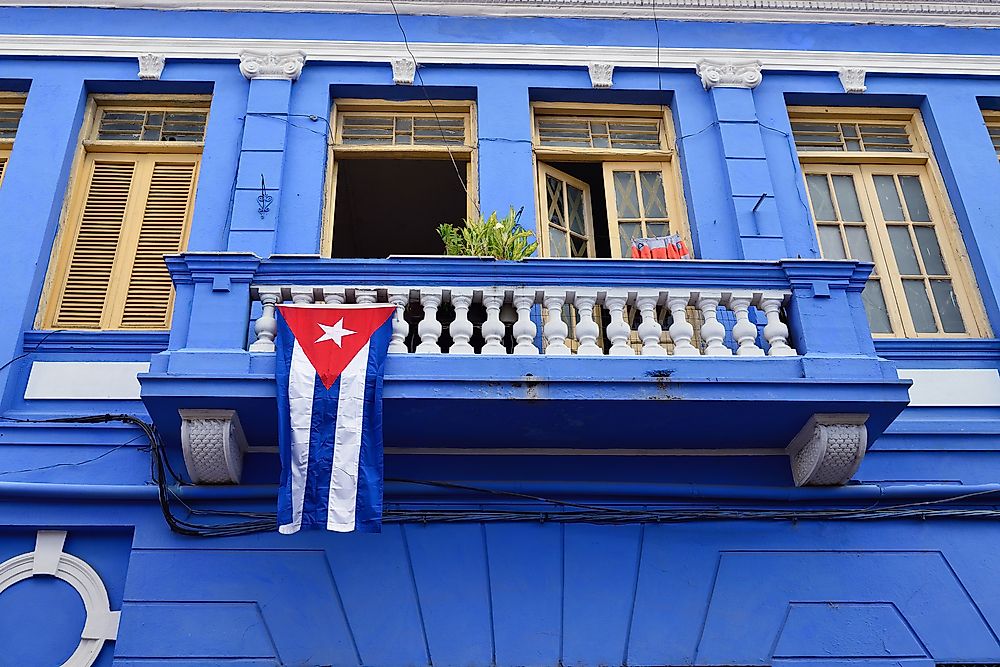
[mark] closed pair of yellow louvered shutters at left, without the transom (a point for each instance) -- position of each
(135, 209)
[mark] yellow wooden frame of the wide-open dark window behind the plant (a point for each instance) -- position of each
(339, 151)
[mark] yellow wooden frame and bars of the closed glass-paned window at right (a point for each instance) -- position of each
(863, 167)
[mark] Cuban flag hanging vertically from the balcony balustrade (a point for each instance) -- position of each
(329, 366)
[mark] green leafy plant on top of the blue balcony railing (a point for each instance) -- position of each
(503, 238)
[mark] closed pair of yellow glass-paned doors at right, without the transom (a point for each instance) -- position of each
(888, 215)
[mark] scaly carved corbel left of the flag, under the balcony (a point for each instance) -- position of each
(213, 445)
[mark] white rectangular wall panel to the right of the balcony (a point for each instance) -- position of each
(960, 387)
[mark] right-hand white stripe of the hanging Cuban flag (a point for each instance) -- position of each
(343, 501)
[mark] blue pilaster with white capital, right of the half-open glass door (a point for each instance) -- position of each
(730, 87)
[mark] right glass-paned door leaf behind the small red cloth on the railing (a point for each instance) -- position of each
(637, 196)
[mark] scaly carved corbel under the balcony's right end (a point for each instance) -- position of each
(828, 449)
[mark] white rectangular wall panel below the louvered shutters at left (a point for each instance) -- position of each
(84, 380)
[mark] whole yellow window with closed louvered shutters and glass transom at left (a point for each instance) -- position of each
(130, 204)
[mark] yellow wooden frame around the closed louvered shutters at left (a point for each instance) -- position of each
(89, 150)
